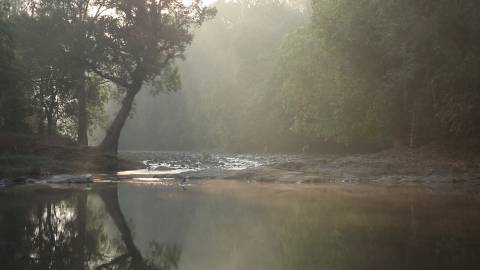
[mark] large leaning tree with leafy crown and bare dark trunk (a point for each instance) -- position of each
(138, 45)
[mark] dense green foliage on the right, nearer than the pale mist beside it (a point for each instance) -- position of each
(378, 71)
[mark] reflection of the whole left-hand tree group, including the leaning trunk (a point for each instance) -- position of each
(56, 229)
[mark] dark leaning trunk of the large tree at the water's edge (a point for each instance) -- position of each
(109, 144)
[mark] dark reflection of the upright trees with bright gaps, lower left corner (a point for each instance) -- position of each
(46, 231)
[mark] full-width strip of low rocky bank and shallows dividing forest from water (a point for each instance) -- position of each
(24, 157)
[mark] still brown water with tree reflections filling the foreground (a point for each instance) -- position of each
(230, 225)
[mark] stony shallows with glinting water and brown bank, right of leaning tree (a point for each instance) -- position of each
(431, 167)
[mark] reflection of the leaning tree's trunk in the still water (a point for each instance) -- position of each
(162, 256)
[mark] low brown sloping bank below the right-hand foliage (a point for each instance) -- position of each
(430, 166)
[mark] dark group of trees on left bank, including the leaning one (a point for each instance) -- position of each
(68, 56)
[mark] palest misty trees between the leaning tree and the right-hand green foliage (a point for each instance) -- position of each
(225, 103)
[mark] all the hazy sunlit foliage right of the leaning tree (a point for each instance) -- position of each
(358, 74)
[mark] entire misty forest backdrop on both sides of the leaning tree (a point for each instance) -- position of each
(259, 76)
